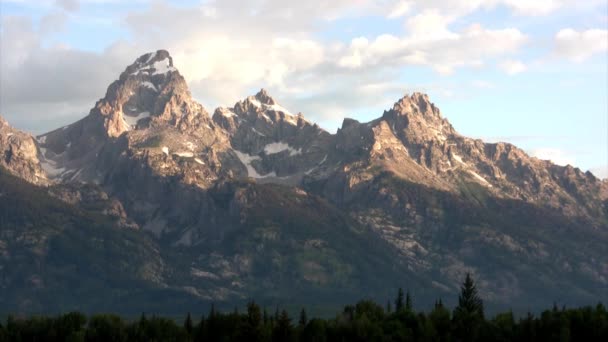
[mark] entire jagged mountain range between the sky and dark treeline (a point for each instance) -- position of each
(151, 202)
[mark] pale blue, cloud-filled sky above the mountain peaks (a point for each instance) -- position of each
(532, 73)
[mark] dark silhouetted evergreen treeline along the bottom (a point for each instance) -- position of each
(364, 321)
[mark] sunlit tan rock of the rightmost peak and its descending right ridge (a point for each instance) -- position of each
(415, 143)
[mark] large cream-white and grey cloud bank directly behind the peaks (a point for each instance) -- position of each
(227, 49)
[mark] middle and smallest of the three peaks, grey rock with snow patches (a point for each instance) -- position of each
(273, 144)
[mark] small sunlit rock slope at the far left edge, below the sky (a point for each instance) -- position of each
(19, 154)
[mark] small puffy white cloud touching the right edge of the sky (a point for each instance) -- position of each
(580, 45)
